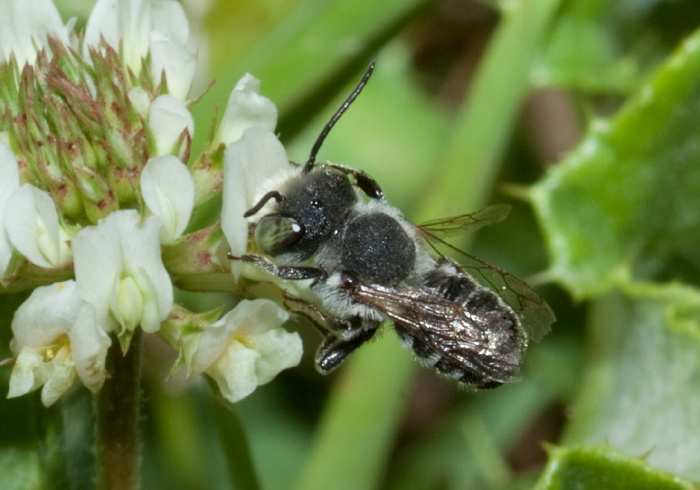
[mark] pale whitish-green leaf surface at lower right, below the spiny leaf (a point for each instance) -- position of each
(641, 394)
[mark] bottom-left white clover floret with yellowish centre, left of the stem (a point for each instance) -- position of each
(56, 337)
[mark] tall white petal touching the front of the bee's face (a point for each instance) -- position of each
(257, 157)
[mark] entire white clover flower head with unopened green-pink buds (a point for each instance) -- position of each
(97, 182)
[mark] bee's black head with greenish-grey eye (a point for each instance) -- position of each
(309, 208)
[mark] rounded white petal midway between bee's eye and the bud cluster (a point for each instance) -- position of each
(168, 190)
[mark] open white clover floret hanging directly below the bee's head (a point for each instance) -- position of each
(244, 349)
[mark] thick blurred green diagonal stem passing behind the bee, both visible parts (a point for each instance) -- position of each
(365, 409)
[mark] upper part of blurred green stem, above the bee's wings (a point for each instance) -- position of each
(484, 123)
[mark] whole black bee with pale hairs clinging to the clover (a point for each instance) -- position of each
(332, 224)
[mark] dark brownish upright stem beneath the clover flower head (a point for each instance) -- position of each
(117, 406)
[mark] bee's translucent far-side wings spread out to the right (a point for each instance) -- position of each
(535, 314)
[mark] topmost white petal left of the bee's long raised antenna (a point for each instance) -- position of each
(246, 109)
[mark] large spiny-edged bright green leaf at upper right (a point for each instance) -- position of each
(625, 200)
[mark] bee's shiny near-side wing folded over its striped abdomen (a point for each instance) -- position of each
(451, 333)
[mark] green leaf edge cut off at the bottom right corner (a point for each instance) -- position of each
(594, 468)
